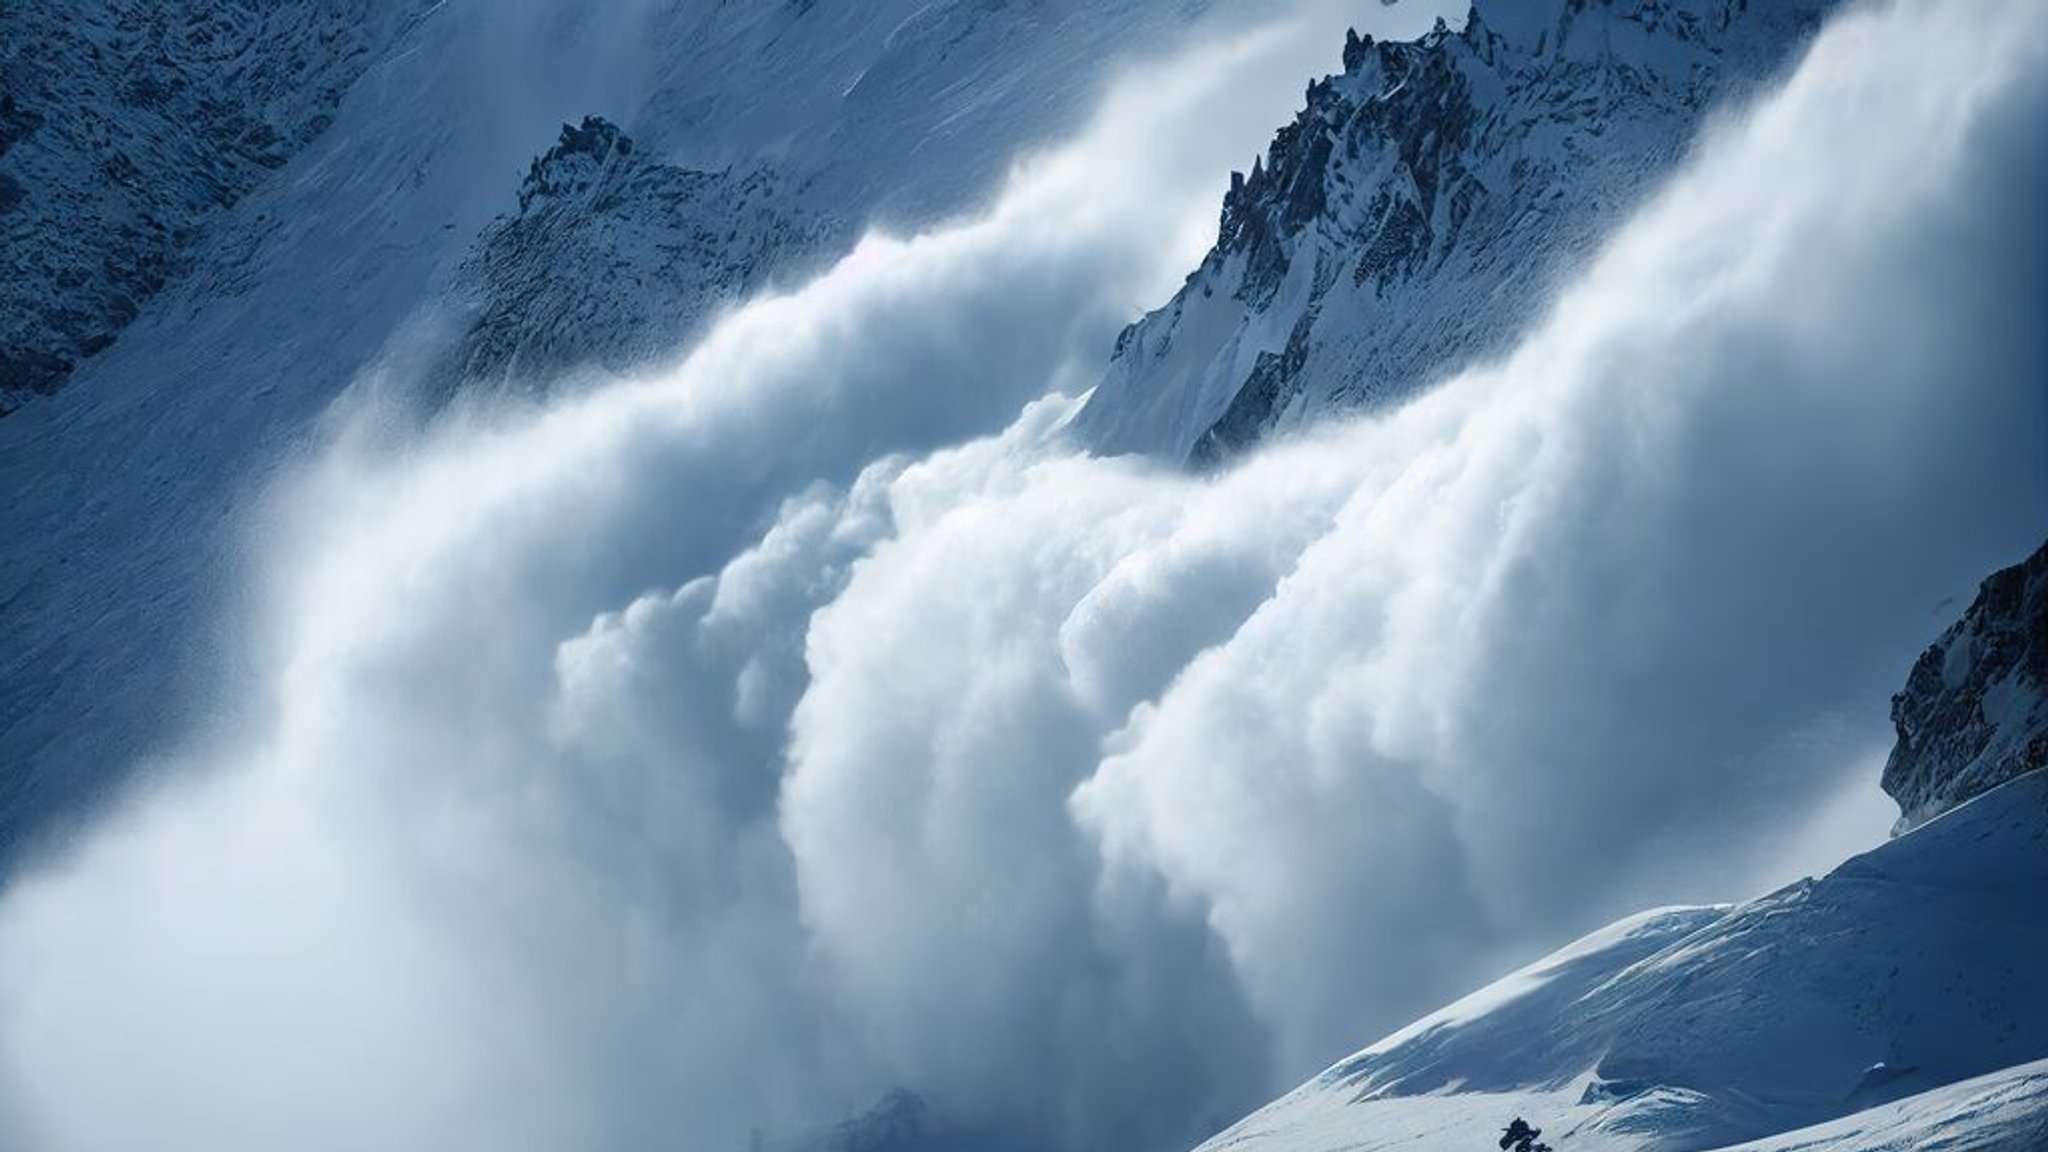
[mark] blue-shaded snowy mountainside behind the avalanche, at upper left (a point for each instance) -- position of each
(396, 235)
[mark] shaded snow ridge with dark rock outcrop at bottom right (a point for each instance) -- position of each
(1893, 1003)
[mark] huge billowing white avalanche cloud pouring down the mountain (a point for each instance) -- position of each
(716, 753)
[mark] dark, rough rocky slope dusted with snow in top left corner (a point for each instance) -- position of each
(128, 128)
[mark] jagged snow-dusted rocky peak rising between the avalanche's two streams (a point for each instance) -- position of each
(1420, 206)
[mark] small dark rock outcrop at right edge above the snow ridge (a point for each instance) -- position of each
(1975, 710)
